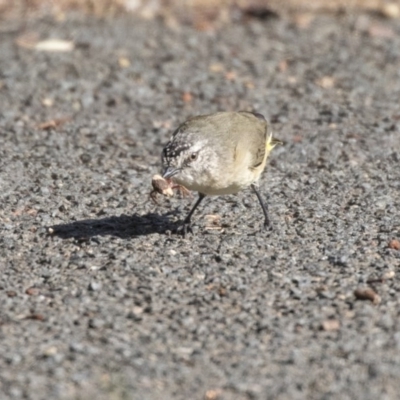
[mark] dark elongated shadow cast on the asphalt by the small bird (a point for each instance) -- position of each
(124, 226)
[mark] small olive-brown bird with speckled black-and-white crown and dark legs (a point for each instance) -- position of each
(218, 154)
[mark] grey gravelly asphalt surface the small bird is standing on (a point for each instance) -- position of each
(114, 306)
